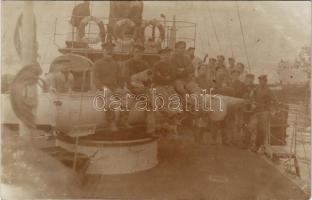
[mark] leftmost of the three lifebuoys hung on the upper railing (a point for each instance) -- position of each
(85, 21)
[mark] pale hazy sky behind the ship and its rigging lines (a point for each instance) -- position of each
(273, 30)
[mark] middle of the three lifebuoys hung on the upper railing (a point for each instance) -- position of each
(120, 28)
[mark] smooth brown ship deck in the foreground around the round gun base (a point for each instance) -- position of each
(187, 170)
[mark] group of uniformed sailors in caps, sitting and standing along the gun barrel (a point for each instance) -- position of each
(180, 72)
